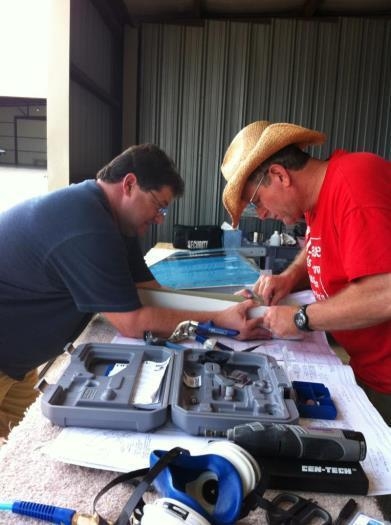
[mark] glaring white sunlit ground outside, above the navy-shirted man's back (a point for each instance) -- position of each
(18, 184)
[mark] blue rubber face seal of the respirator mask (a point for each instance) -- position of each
(185, 469)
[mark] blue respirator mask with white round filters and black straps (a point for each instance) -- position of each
(216, 488)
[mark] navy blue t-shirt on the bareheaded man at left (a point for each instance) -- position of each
(62, 259)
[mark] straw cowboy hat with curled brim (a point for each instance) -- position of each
(253, 145)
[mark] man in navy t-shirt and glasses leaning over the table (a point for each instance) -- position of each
(75, 252)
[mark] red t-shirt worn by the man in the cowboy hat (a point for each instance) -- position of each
(348, 237)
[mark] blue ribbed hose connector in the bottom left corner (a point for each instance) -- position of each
(58, 515)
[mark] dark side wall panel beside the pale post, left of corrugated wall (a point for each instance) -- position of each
(95, 89)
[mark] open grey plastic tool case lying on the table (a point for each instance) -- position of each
(140, 388)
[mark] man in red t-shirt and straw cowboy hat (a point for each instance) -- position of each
(346, 202)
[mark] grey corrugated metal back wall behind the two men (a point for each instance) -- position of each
(200, 85)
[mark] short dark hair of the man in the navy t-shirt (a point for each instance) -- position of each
(152, 167)
